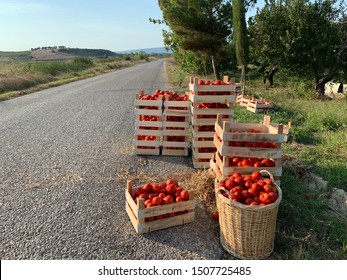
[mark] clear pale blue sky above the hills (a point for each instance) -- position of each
(115, 25)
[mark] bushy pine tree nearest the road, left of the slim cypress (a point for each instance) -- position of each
(201, 26)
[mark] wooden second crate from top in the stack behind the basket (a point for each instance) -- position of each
(225, 150)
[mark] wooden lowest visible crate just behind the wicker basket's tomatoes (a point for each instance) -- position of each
(225, 169)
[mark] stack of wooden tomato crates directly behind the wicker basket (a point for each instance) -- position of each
(247, 147)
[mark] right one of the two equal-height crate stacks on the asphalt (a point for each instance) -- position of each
(176, 127)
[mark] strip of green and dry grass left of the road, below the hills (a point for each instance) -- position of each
(24, 76)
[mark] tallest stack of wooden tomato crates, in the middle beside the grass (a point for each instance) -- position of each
(208, 100)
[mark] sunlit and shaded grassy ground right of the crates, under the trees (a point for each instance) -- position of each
(314, 163)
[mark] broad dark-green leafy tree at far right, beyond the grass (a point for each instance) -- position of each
(297, 35)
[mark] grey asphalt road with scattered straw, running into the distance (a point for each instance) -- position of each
(61, 153)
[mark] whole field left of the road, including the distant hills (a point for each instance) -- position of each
(21, 74)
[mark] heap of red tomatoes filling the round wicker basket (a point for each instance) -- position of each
(251, 189)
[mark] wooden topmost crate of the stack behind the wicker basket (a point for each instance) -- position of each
(269, 133)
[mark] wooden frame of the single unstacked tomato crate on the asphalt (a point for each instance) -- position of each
(138, 213)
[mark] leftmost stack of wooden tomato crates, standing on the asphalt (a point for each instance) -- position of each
(148, 125)
